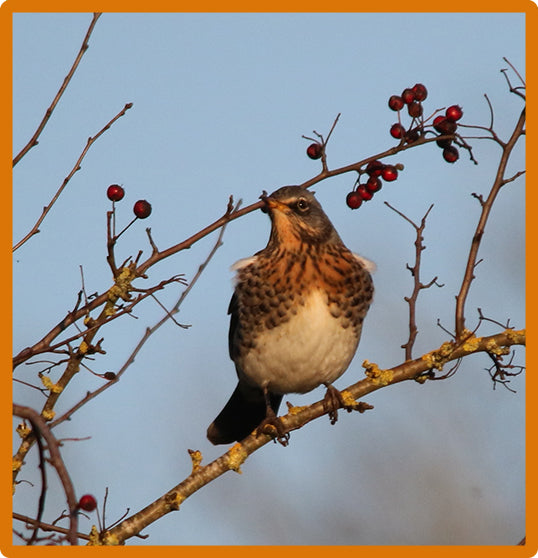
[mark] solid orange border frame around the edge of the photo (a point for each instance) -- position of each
(6, 11)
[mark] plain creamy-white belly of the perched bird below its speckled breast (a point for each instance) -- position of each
(310, 349)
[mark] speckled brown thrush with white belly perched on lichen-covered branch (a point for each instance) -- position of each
(296, 314)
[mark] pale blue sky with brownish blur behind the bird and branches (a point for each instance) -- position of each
(220, 104)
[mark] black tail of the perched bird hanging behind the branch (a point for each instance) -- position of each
(245, 410)
